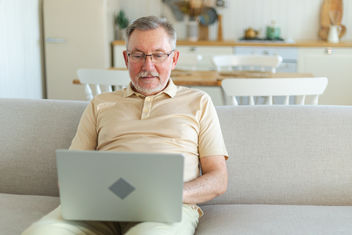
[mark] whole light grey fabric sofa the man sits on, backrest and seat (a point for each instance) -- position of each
(290, 167)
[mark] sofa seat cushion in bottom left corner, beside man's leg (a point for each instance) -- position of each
(19, 211)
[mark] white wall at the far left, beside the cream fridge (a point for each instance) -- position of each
(20, 49)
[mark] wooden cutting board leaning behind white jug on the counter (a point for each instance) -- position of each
(334, 9)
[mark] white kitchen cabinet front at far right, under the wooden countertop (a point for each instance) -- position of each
(336, 65)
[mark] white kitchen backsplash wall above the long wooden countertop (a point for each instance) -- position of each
(298, 19)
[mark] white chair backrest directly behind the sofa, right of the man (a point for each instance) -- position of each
(269, 87)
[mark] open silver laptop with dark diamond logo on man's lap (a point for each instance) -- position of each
(120, 186)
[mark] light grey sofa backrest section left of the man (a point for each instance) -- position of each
(30, 132)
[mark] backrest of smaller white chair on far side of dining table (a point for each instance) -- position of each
(247, 62)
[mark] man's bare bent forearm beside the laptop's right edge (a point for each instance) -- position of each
(210, 184)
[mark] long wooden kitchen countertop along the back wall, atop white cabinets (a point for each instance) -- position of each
(312, 43)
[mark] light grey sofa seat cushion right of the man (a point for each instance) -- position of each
(275, 220)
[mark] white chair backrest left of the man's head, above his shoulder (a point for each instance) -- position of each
(102, 80)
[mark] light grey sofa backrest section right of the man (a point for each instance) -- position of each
(288, 154)
